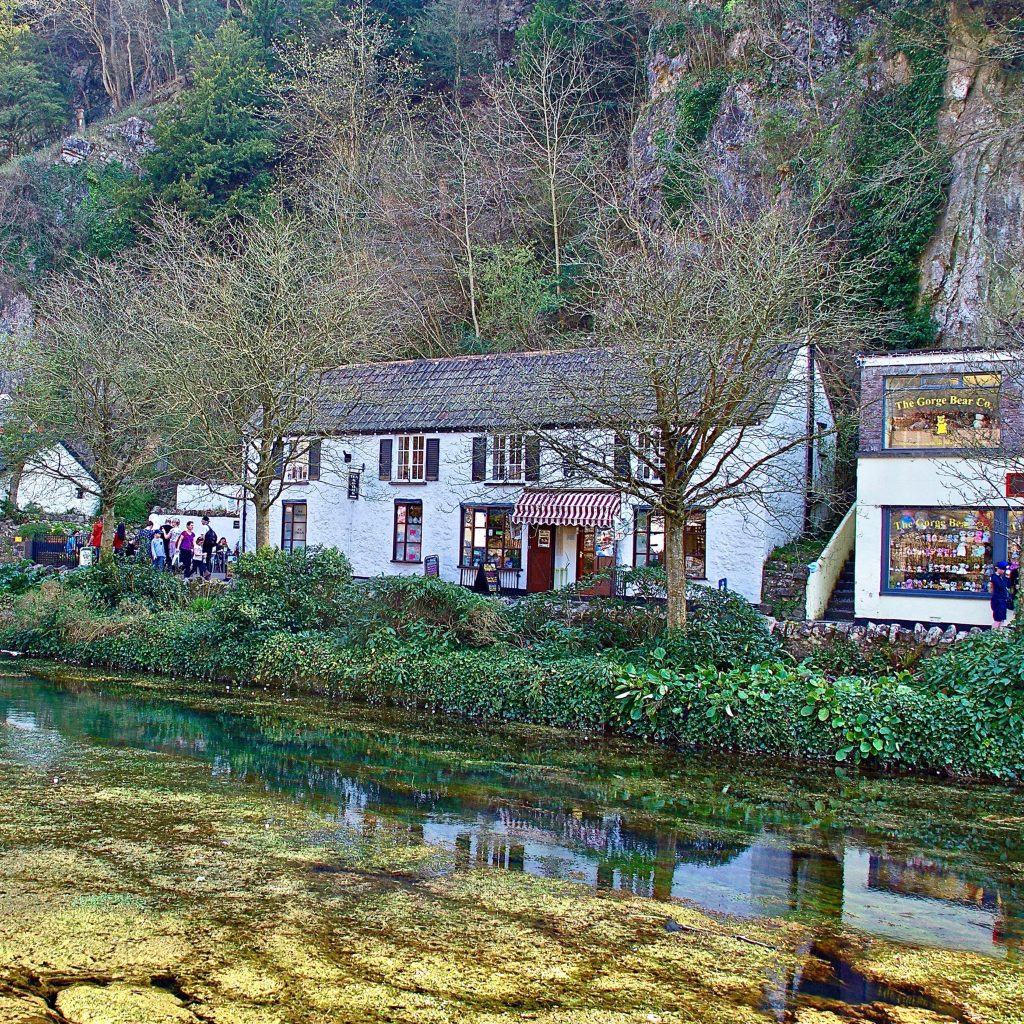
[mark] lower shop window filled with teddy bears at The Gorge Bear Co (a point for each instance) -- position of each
(941, 550)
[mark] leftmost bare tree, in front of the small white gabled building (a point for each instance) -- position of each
(90, 385)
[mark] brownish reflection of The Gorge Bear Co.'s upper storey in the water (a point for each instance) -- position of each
(921, 878)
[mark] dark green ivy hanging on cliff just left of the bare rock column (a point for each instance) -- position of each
(900, 182)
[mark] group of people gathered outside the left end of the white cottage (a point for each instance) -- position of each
(169, 547)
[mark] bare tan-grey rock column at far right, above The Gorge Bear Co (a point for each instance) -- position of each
(983, 229)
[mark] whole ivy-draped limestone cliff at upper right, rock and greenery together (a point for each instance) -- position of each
(904, 129)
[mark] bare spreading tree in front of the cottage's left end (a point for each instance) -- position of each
(249, 329)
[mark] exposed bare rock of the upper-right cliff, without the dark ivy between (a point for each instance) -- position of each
(786, 122)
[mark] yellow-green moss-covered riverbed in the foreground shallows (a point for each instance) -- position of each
(138, 885)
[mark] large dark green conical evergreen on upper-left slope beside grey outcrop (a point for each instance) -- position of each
(217, 145)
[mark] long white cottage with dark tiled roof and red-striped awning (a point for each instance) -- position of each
(422, 476)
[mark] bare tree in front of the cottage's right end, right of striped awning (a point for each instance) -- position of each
(703, 378)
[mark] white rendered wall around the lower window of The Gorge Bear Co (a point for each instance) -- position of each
(921, 482)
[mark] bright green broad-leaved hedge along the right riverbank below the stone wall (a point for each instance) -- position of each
(791, 711)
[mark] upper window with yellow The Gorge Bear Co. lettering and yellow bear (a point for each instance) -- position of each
(943, 411)
